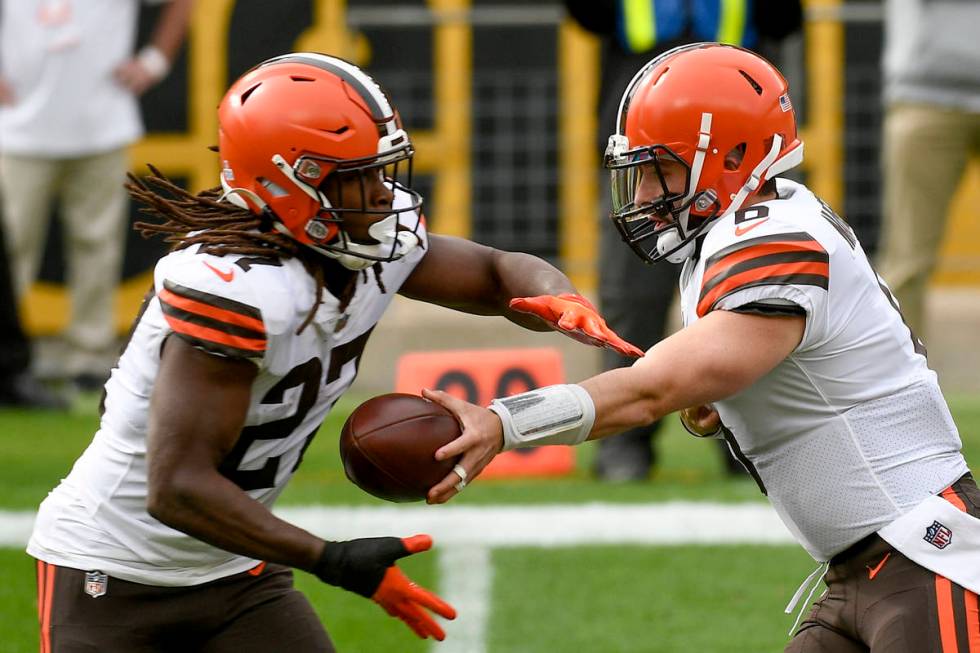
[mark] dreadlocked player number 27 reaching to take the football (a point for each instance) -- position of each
(161, 537)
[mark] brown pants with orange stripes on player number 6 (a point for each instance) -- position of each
(879, 601)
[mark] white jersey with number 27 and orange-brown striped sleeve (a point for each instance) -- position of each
(237, 306)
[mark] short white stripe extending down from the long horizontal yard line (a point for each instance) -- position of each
(465, 582)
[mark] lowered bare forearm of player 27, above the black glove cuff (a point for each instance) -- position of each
(211, 508)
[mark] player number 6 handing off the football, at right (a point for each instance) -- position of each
(793, 350)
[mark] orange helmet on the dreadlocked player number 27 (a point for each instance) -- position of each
(289, 123)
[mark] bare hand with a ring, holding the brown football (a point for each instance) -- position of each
(482, 439)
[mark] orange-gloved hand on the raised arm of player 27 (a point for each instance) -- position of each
(577, 318)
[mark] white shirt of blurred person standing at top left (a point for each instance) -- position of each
(58, 56)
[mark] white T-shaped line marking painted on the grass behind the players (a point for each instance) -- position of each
(464, 536)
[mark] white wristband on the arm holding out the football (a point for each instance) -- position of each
(554, 414)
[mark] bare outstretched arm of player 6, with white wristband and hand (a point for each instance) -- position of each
(713, 359)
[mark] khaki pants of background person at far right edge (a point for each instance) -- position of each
(924, 154)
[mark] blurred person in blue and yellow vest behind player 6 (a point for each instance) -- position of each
(635, 298)
